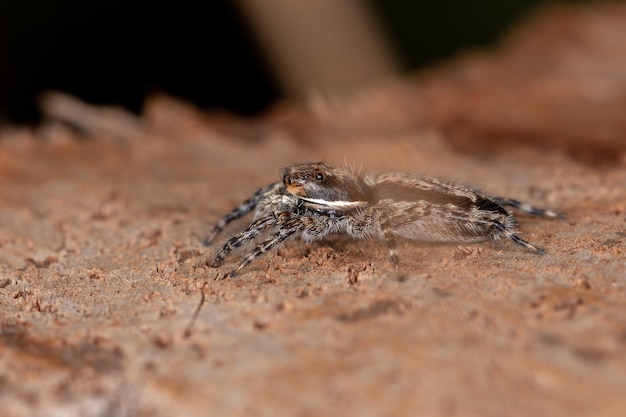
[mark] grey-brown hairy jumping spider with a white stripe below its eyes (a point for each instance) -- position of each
(316, 199)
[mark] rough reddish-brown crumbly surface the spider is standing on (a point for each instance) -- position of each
(101, 261)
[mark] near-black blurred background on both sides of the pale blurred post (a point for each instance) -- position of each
(117, 52)
